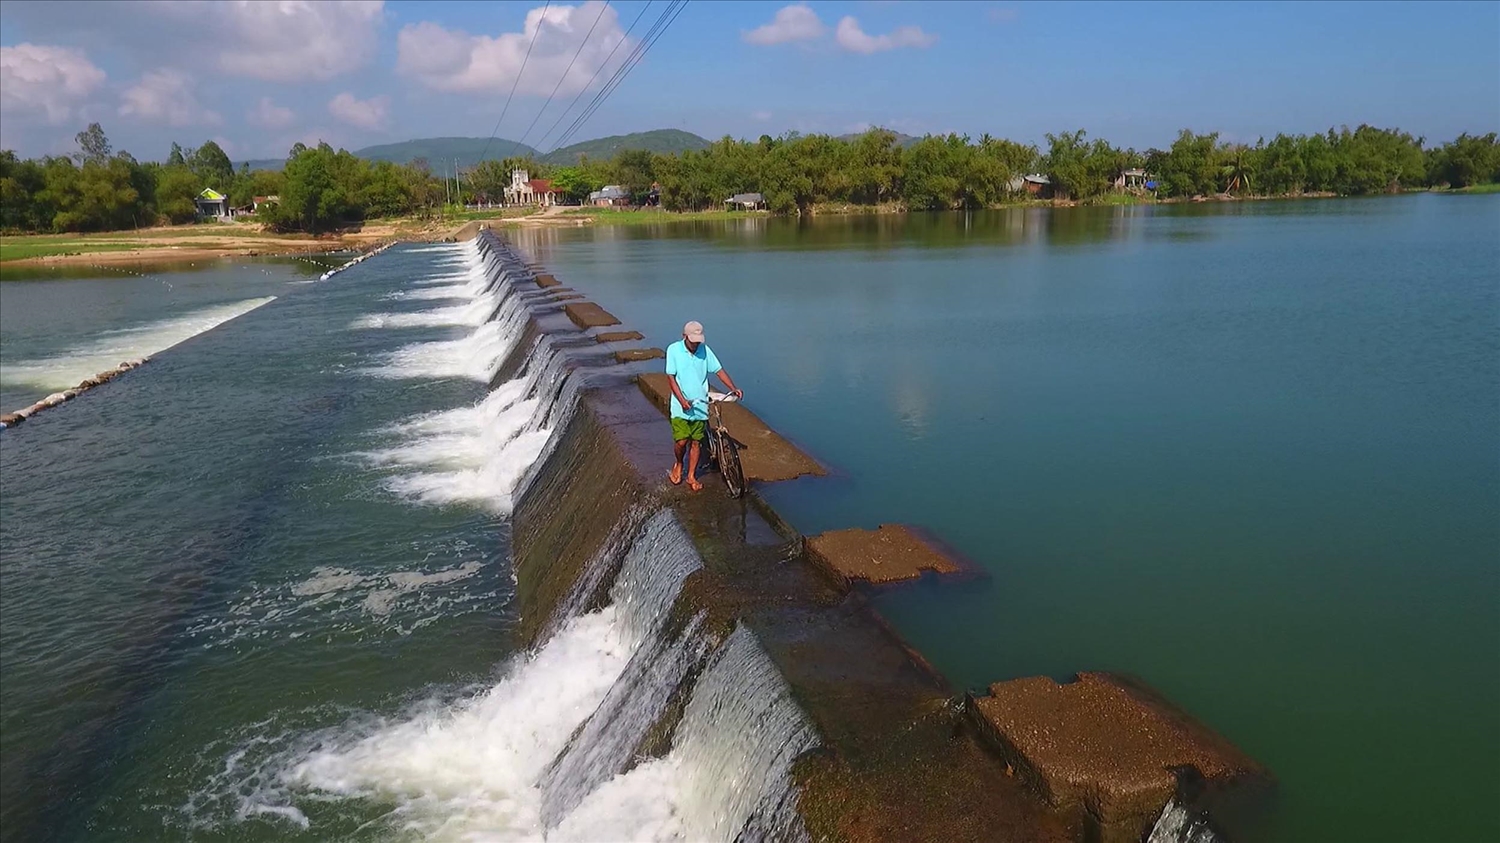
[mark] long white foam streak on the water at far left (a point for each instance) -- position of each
(112, 349)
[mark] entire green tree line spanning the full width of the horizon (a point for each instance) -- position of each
(320, 188)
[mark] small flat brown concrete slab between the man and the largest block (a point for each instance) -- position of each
(890, 554)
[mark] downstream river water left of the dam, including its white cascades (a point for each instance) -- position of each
(259, 590)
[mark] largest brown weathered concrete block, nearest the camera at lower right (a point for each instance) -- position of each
(1105, 745)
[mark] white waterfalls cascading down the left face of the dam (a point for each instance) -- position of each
(560, 746)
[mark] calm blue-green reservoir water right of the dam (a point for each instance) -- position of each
(1247, 452)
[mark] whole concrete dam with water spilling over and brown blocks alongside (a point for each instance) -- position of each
(763, 697)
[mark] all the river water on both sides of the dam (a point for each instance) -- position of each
(259, 589)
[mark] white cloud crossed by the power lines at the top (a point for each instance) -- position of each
(455, 61)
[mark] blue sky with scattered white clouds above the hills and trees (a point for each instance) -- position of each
(259, 77)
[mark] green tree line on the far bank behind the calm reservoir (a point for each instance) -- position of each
(956, 172)
